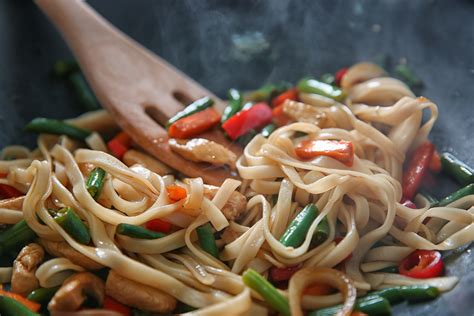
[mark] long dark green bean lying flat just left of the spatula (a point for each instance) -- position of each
(51, 126)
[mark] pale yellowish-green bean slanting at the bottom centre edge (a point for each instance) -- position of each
(269, 293)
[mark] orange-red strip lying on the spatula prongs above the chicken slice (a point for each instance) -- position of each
(194, 124)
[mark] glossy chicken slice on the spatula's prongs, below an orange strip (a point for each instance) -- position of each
(203, 150)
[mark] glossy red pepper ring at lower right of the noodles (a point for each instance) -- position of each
(422, 264)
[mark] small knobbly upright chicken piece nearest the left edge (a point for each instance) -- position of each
(24, 267)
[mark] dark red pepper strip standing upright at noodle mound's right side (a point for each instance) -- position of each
(417, 168)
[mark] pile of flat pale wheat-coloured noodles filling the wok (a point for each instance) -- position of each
(361, 204)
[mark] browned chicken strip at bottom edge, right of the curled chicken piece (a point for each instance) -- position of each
(138, 295)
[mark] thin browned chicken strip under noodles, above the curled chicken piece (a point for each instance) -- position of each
(62, 249)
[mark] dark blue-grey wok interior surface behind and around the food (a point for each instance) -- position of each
(224, 44)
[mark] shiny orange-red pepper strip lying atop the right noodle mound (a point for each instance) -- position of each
(337, 149)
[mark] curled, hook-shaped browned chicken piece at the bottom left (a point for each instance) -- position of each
(74, 291)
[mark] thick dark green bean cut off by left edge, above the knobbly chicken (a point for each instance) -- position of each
(15, 237)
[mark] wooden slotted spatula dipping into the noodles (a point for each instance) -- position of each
(139, 89)
